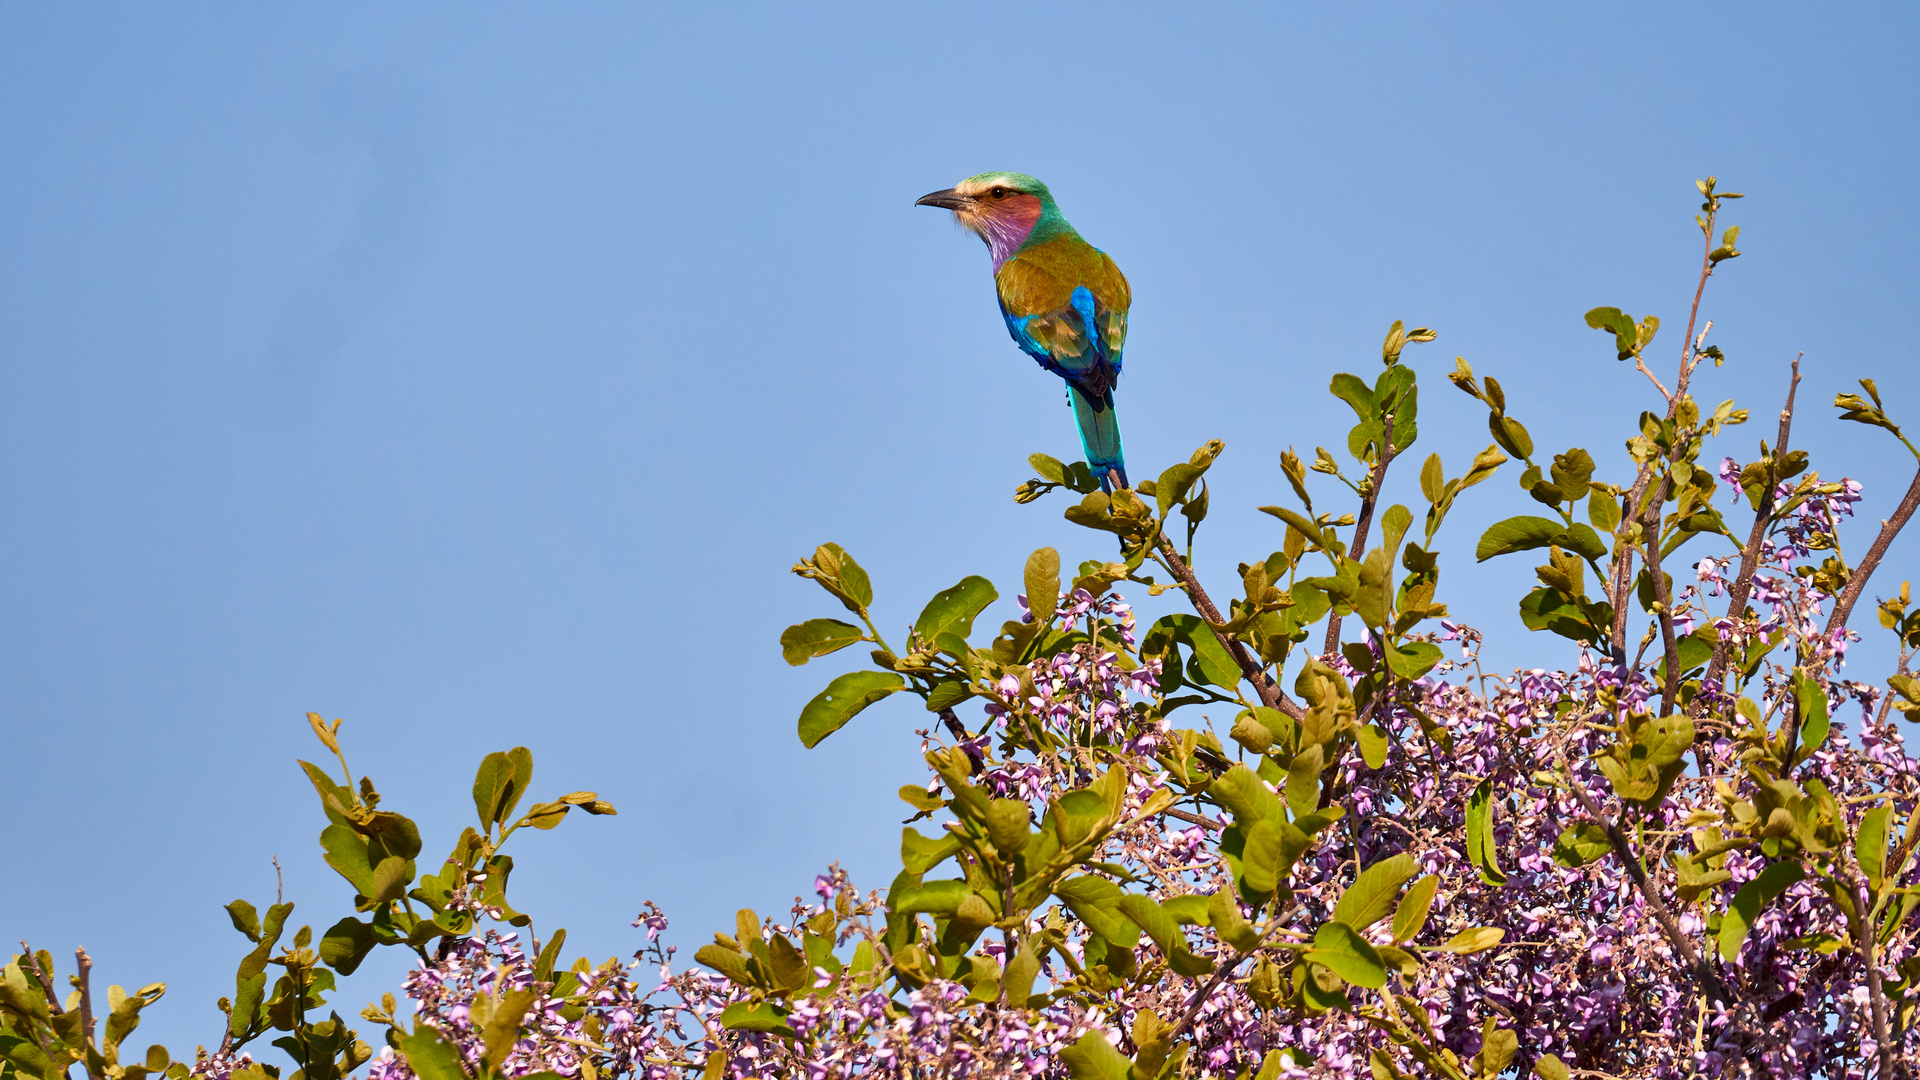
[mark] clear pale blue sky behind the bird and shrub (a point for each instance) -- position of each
(475, 372)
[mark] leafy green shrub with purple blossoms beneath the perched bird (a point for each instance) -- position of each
(1692, 854)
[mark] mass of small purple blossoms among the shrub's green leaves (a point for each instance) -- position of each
(1593, 960)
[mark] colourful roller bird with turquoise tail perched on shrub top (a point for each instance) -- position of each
(1063, 299)
